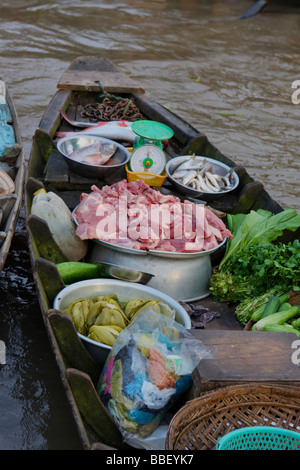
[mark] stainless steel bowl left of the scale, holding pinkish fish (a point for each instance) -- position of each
(67, 145)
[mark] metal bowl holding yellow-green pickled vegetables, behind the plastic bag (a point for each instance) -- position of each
(125, 291)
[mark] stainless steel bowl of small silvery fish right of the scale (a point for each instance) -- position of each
(218, 168)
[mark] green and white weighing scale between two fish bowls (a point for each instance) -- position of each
(148, 154)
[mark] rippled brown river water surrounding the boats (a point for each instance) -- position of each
(231, 79)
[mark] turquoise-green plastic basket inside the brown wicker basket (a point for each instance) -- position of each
(259, 438)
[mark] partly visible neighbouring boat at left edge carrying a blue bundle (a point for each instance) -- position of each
(12, 171)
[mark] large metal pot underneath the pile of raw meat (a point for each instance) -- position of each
(182, 276)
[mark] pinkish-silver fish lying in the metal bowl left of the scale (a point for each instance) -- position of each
(94, 154)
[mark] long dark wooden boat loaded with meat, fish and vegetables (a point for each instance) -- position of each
(79, 85)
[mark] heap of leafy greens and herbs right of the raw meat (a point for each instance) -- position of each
(252, 264)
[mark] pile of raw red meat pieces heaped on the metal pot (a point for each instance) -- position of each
(133, 215)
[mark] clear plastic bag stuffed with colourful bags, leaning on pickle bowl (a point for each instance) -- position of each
(148, 368)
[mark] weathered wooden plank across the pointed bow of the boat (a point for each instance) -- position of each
(113, 82)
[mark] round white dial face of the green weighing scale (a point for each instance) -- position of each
(148, 158)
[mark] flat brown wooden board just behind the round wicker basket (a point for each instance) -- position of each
(244, 357)
